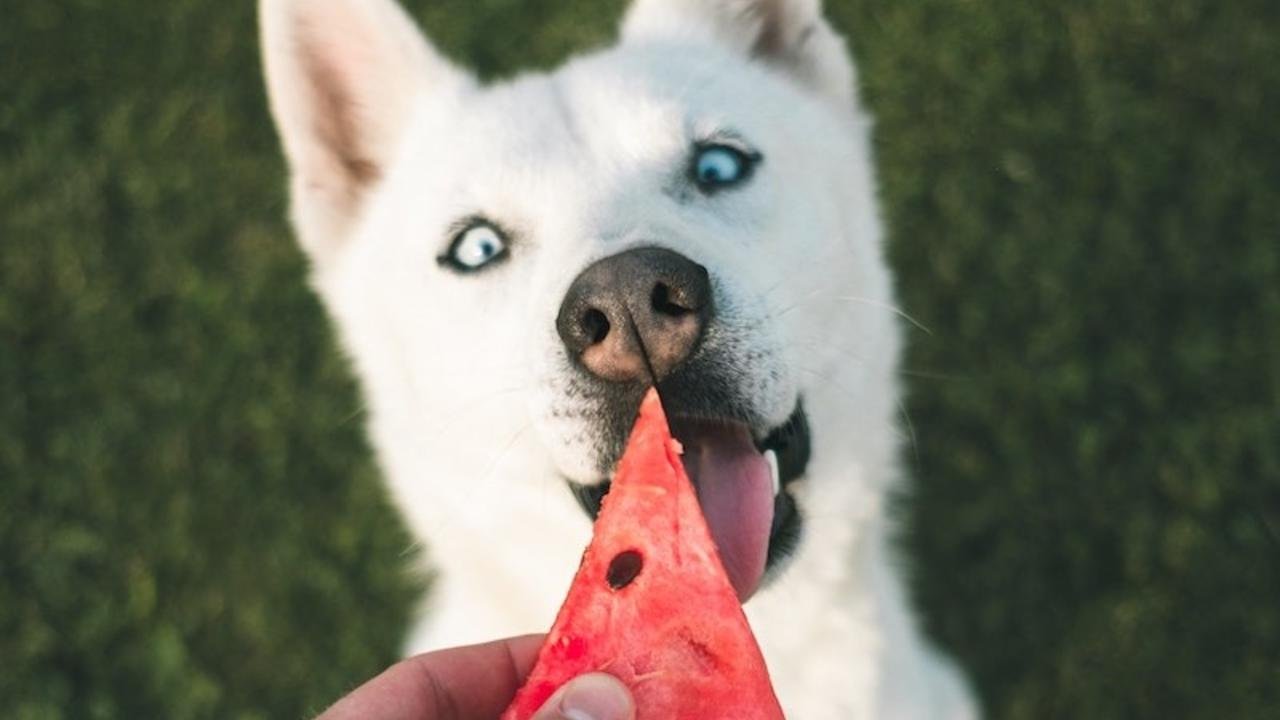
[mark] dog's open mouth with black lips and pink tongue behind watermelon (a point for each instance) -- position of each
(743, 485)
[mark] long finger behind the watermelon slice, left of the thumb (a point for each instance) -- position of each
(465, 683)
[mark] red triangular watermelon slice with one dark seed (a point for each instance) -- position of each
(652, 604)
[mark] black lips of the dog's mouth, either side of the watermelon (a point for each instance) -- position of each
(793, 446)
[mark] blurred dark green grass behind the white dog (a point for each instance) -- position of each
(1085, 209)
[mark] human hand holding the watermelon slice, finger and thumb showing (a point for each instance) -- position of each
(478, 683)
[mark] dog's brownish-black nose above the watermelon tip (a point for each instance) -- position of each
(647, 295)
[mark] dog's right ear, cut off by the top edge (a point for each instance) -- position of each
(789, 34)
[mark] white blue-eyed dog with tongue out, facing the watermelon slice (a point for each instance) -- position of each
(511, 265)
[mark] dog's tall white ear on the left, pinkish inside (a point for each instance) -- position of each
(344, 79)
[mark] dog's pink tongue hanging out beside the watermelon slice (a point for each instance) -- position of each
(735, 490)
